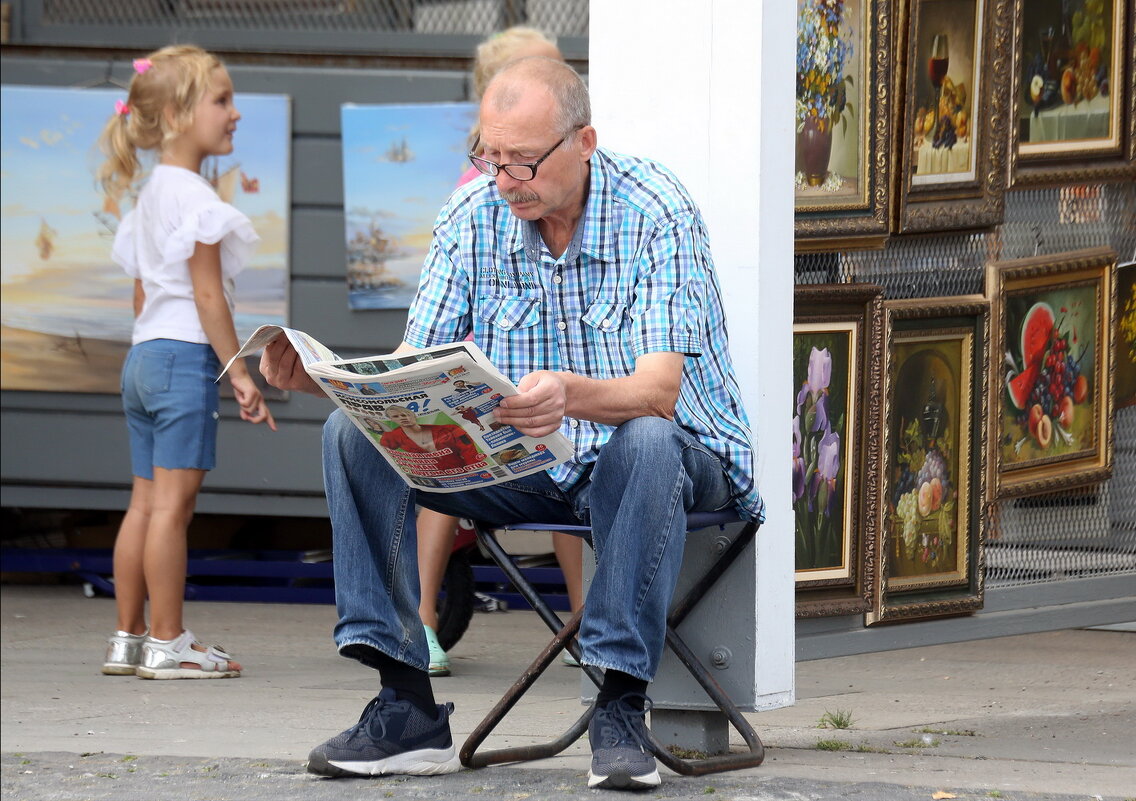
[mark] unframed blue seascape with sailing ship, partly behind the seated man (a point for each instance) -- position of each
(400, 164)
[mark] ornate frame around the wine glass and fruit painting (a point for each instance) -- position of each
(974, 202)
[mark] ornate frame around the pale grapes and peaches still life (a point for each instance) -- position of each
(962, 323)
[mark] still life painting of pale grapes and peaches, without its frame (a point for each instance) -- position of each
(928, 488)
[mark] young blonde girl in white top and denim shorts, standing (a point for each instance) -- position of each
(182, 246)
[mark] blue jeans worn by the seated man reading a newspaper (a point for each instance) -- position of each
(648, 477)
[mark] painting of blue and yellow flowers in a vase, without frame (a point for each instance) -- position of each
(832, 45)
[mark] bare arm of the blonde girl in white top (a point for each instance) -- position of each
(218, 322)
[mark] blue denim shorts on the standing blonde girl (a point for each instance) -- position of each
(172, 406)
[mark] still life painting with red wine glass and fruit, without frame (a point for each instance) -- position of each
(947, 59)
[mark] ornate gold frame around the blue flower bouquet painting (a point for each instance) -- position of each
(865, 221)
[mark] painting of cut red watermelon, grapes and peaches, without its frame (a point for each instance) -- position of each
(1048, 371)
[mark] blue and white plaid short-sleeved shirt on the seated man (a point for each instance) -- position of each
(637, 279)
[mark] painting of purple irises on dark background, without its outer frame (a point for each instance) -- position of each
(823, 448)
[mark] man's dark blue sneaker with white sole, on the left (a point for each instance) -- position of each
(392, 737)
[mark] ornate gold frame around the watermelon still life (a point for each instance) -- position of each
(1032, 279)
